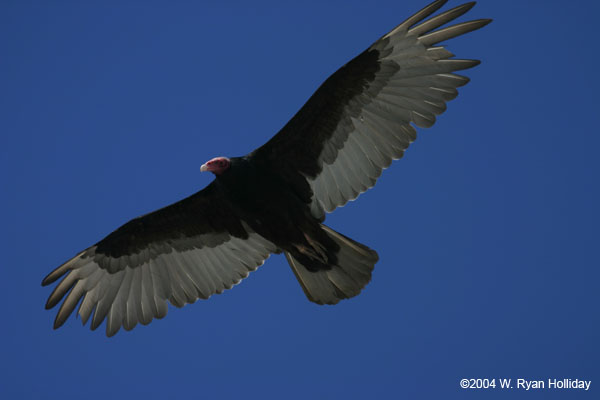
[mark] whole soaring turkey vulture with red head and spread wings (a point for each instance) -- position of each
(274, 199)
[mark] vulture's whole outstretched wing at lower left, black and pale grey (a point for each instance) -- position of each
(189, 250)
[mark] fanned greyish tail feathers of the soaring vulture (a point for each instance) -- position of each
(345, 279)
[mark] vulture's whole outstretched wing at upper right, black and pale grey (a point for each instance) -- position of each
(359, 120)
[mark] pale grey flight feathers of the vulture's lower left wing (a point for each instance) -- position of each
(140, 294)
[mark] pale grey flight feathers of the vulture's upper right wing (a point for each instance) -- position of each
(413, 84)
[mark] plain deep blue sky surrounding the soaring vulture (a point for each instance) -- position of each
(487, 229)
